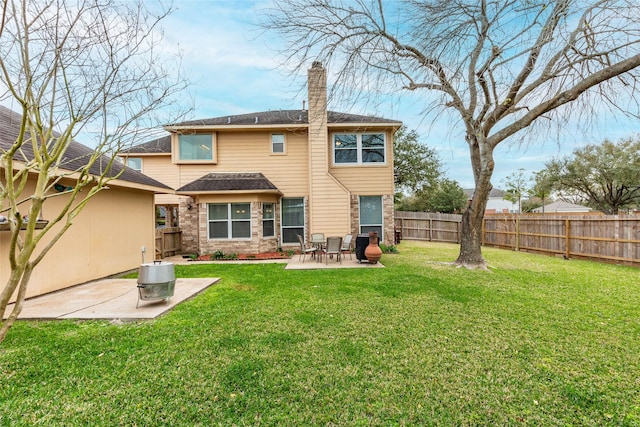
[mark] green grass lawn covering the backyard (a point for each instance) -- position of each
(534, 341)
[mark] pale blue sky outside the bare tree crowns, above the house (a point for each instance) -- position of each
(233, 70)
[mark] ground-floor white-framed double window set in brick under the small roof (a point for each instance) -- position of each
(229, 220)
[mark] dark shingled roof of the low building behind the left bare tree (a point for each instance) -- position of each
(75, 156)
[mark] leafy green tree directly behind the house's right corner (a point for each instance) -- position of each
(415, 164)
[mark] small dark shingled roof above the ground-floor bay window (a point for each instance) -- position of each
(224, 182)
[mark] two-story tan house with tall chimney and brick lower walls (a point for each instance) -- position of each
(251, 183)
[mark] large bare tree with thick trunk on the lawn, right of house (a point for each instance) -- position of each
(498, 65)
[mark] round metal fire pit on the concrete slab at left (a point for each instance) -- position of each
(156, 281)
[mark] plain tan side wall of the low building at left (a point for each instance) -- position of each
(105, 239)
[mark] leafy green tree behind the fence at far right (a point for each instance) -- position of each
(605, 175)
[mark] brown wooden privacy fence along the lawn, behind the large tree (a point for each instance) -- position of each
(614, 239)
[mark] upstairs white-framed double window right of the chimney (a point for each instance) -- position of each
(359, 148)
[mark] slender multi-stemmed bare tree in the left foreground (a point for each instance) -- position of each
(91, 66)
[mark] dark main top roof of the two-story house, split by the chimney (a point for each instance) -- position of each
(282, 117)
